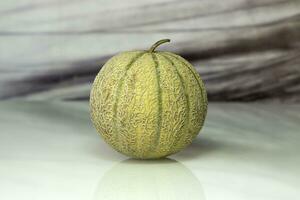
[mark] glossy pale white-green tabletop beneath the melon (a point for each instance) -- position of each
(245, 151)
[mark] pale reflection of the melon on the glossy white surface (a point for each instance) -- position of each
(143, 180)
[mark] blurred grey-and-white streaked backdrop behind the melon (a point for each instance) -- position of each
(245, 50)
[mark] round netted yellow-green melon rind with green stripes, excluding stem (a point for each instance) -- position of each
(148, 104)
